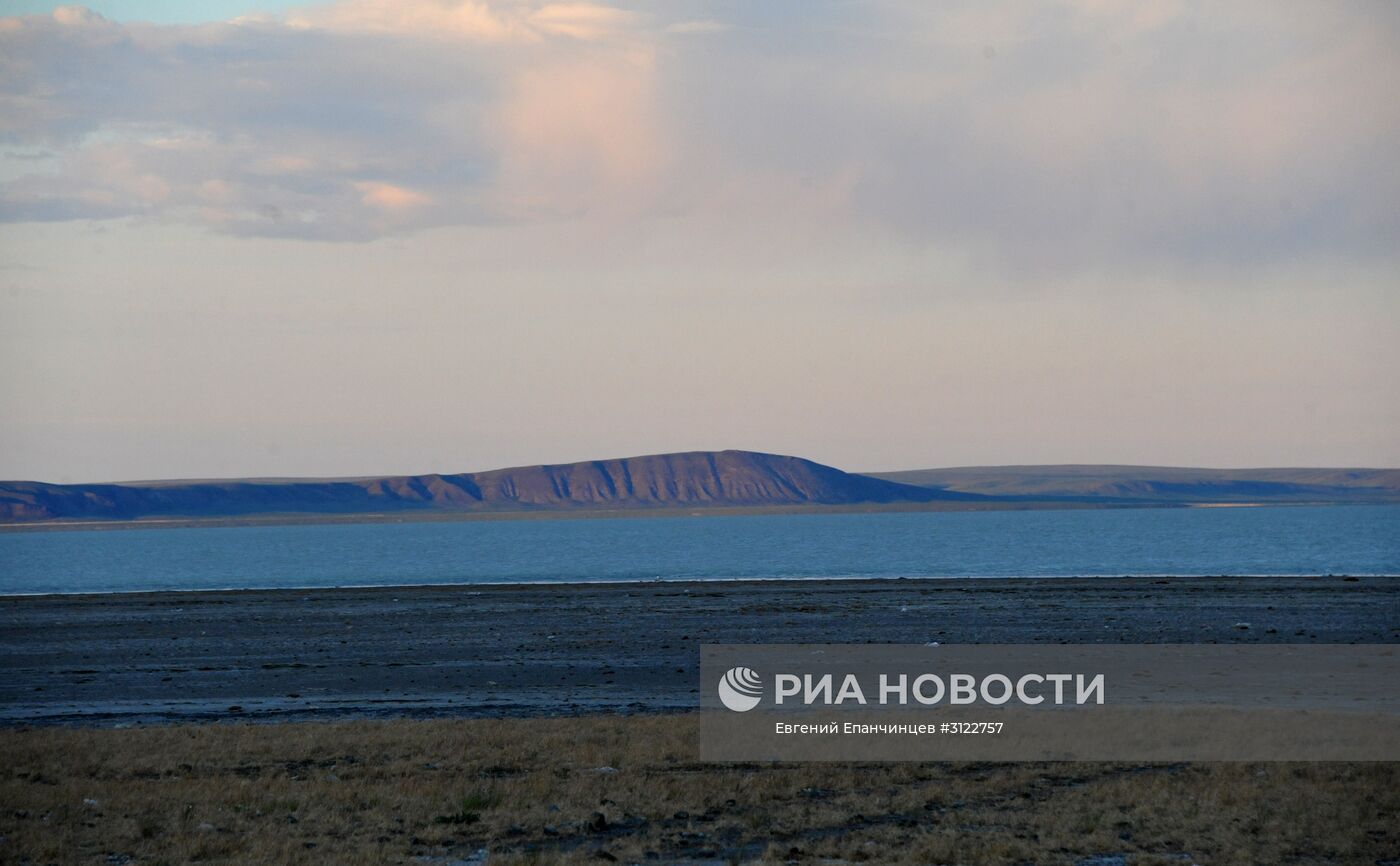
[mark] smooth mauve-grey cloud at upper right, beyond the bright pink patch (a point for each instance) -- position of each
(1076, 135)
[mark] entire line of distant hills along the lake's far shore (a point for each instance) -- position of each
(691, 481)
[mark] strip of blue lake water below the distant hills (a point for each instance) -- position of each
(1020, 544)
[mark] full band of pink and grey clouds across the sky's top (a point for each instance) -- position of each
(1062, 135)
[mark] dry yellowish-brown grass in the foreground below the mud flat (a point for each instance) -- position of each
(568, 790)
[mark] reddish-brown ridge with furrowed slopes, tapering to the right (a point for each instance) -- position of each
(675, 481)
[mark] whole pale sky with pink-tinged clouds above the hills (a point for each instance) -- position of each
(379, 237)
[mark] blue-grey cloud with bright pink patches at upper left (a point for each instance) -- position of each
(349, 124)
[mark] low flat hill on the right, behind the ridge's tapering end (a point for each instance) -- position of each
(1161, 485)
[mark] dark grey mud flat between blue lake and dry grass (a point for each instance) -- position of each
(575, 650)
